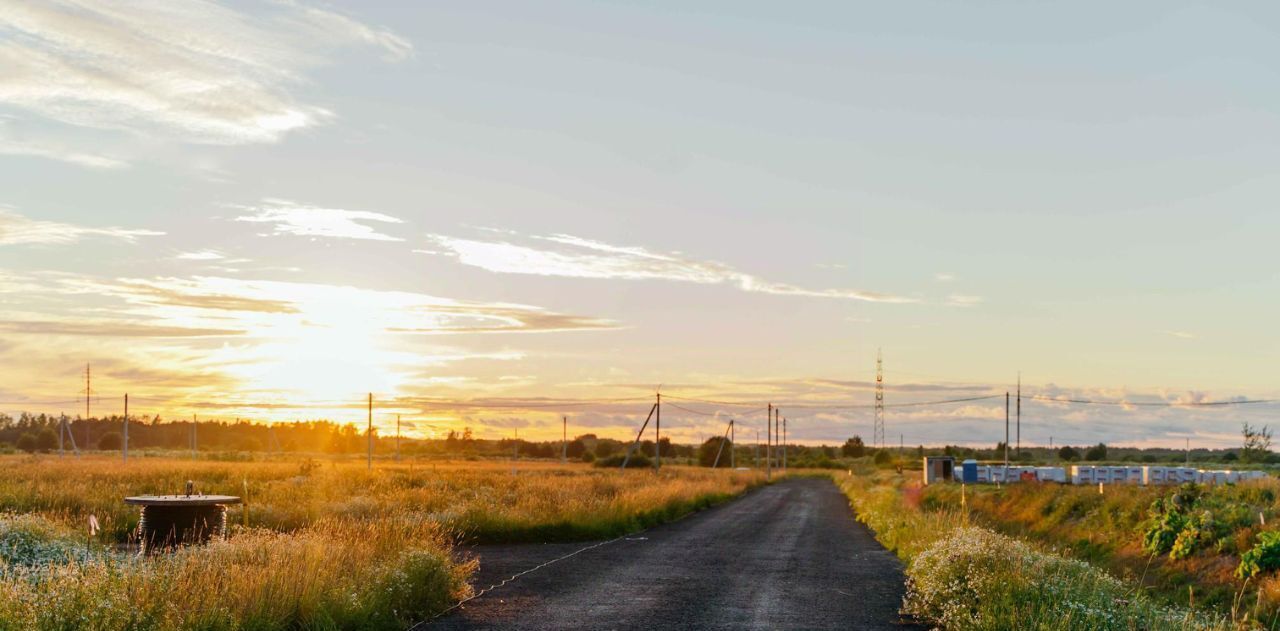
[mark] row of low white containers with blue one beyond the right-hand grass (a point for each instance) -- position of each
(943, 469)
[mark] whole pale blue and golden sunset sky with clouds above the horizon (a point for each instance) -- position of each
(499, 214)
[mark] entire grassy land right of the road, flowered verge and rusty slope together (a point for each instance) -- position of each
(1131, 557)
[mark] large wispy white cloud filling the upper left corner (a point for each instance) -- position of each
(189, 70)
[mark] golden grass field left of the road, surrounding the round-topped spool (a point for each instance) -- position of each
(328, 545)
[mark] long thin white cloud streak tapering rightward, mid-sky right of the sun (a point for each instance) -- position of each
(578, 258)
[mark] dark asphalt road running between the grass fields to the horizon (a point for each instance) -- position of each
(788, 556)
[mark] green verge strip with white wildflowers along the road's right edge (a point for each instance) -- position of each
(966, 577)
